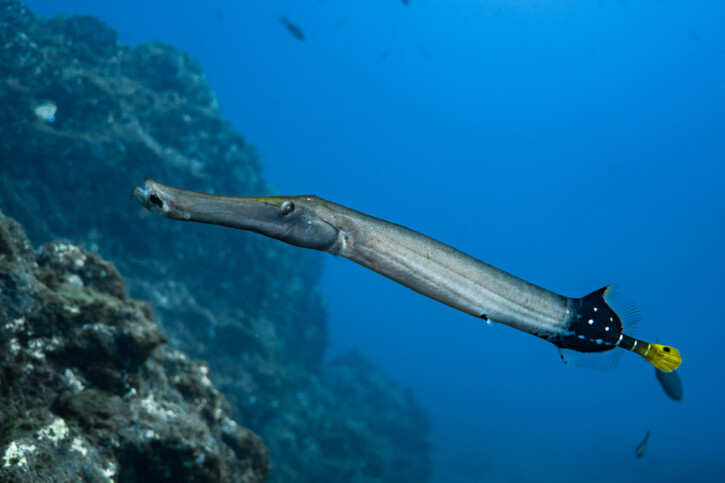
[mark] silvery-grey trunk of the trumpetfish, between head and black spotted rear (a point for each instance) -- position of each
(445, 274)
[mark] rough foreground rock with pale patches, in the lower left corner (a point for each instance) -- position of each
(88, 390)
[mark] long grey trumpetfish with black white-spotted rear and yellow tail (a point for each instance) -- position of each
(588, 324)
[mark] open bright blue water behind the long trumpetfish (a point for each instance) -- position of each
(572, 143)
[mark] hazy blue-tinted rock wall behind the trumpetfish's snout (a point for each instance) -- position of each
(85, 118)
